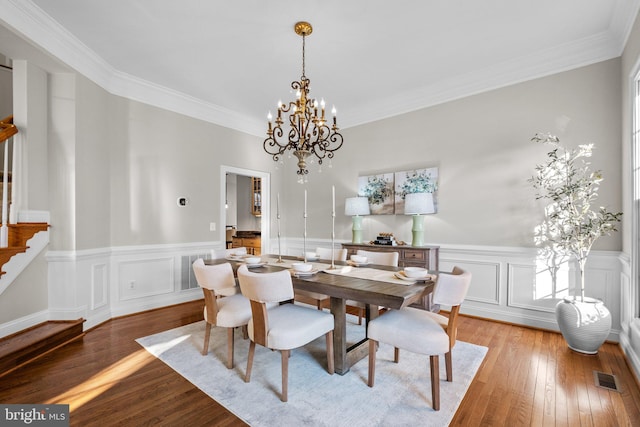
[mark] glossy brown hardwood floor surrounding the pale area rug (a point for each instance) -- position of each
(529, 377)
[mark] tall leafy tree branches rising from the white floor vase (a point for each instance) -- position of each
(571, 226)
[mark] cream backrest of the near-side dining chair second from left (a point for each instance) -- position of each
(265, 287)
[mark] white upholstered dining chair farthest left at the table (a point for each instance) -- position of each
(231, 310)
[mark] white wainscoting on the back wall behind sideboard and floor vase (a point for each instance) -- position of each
(509, 284)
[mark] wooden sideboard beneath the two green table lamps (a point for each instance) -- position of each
(409, 256)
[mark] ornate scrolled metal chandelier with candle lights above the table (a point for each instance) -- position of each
(309, 134)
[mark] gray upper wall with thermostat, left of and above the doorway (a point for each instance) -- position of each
(160, 156)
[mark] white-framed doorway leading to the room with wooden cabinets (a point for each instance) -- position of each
(241, 183)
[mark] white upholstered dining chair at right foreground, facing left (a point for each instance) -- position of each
(421, 331)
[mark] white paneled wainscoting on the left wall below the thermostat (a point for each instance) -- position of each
(98, 285)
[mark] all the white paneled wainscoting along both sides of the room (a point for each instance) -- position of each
(508, 283)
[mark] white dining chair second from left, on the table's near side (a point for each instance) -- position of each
(283, 327)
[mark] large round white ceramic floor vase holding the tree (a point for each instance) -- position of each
(585, 324)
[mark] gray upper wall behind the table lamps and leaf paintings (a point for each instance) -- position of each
(481, 146)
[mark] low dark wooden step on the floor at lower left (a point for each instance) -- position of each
(23, 347)
